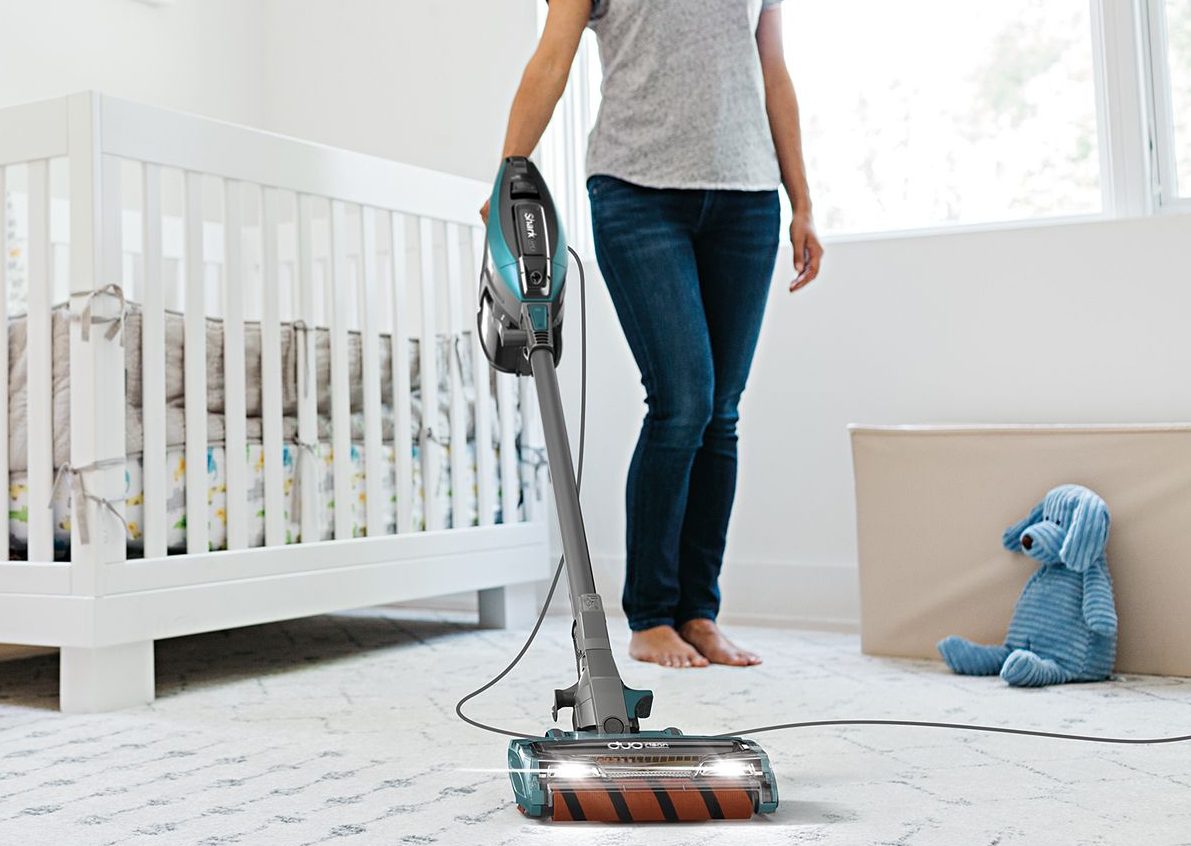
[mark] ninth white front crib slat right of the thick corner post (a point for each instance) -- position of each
(432, 452)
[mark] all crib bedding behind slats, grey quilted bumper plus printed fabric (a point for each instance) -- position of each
(295, 372)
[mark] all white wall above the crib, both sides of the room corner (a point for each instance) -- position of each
(422, 83)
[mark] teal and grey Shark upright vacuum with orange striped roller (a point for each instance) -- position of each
(607, 768)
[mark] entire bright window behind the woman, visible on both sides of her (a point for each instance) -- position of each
(934, 113)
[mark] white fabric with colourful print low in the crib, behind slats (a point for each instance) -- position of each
(319, 472)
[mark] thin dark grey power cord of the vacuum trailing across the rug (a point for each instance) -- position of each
(777, 727)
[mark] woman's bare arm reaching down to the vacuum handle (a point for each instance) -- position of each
(545, 78)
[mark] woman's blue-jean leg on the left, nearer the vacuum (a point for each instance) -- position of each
(644, 242)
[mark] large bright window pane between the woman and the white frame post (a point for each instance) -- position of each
(937, 113)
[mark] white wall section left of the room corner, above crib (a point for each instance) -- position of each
(195, 55)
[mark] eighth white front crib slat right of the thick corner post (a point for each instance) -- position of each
(403, 449)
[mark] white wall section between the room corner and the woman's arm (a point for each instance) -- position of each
(423, 83)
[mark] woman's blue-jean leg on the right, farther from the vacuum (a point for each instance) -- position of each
(735, 251)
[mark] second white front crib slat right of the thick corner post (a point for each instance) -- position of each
(196, 371)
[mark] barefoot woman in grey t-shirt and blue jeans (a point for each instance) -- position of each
(697, 128)
